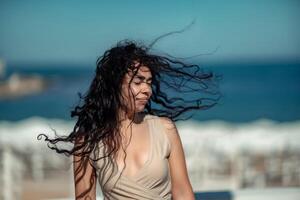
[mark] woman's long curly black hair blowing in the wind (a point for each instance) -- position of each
(177, 88)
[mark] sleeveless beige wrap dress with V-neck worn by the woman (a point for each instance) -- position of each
(152, 181)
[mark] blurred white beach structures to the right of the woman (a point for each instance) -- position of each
(261, 154)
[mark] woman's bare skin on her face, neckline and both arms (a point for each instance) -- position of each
(137, 145)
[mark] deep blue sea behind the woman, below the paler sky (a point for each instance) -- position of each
(251, 91)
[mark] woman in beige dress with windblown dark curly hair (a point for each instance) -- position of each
(125, 136)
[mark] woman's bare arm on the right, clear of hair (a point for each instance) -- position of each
(181, 186)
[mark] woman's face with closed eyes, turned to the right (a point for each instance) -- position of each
(137, 94)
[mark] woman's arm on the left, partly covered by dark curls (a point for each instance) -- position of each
(84, 178)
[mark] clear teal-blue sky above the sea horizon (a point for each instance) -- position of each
(79, 31)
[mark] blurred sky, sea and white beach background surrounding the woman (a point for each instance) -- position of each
(246, 147)
